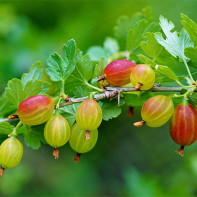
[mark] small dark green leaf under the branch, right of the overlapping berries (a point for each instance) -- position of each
(110, 109)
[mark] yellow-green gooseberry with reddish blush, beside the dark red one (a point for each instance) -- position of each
(157, 110)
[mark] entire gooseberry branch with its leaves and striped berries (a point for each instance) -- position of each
(148, 64)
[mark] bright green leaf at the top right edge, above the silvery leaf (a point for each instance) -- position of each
(190, 26)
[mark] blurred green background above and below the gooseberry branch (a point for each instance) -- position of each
(126, 161)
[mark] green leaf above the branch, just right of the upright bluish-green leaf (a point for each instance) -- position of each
(80, 76)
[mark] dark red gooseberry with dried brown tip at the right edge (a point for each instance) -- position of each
(183, 126)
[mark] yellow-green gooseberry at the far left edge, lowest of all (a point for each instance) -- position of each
(11, 152)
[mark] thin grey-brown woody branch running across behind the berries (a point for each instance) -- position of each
(111, 92)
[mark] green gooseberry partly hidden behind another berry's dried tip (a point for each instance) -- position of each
(77, 142)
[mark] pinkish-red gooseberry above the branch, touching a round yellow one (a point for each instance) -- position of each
(117, 73)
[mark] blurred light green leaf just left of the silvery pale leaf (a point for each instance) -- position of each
(136, 35)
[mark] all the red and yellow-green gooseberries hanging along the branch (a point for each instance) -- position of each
(83, 135)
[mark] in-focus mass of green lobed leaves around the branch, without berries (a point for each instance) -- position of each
(77, 74)
